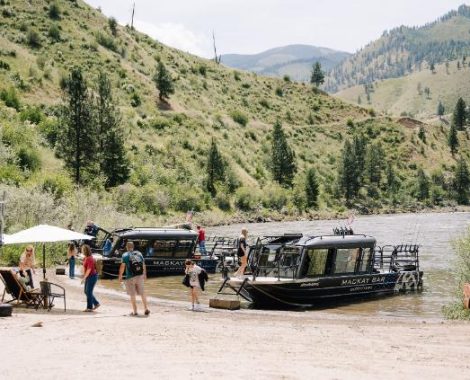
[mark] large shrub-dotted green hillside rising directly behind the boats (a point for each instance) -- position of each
(168, 144)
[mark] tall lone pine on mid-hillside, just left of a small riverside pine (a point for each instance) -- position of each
(283, 165)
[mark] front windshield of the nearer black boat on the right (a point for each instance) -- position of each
(280, 262)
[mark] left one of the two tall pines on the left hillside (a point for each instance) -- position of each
(77, 143)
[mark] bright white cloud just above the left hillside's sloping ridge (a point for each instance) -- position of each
(177, 36)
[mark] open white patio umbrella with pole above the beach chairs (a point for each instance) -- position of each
(44, 234)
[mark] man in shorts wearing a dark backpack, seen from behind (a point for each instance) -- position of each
(133, 263)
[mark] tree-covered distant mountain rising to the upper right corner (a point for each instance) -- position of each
(405, 50)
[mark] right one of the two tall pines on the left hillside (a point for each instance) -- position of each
(113, 160)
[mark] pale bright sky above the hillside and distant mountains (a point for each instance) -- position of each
(253, 26)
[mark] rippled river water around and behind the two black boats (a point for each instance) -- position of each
(434, 232)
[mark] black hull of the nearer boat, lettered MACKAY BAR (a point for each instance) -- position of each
(312, 292)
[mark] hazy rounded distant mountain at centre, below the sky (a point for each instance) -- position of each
(293, 60)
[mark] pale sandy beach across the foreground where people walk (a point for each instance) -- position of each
(174, 343)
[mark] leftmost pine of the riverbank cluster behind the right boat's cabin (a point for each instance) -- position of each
(348, 175)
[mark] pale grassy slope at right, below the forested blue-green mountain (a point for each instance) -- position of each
(417, 94)
